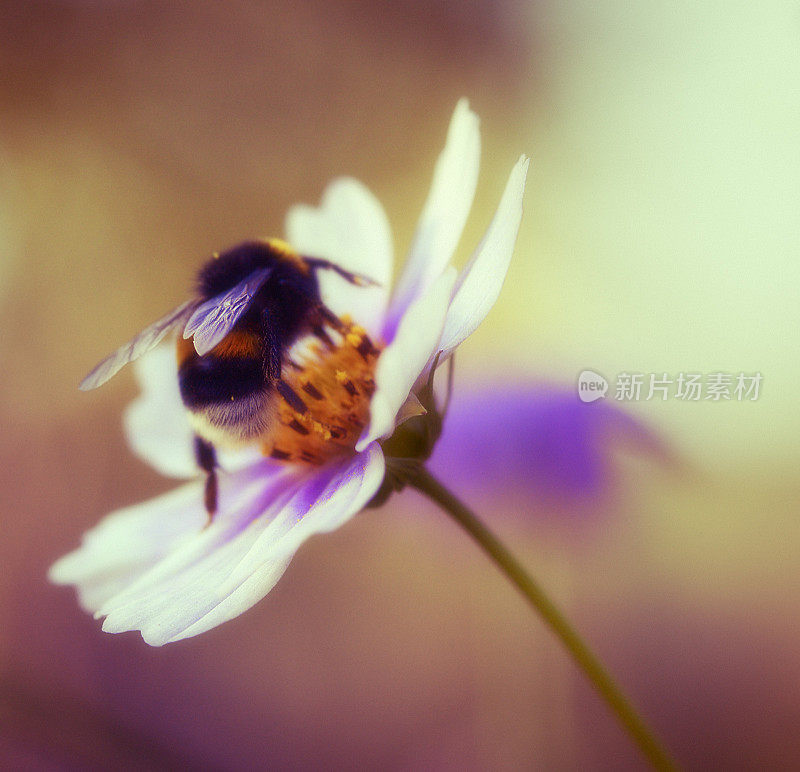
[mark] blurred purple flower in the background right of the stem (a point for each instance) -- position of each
(540, 441)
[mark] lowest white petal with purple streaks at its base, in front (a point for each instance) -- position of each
(226, 568)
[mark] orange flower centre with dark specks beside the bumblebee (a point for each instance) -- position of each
(326, 405)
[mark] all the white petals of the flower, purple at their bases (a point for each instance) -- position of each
(154, 567)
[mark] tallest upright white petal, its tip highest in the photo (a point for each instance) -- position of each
(444, 214)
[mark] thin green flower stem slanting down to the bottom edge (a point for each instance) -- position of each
(587, 661)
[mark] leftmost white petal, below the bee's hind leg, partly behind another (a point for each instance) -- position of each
(127, 543)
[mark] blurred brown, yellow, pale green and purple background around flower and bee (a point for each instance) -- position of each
(660, 236)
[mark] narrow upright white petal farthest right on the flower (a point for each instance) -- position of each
(480, 282)
